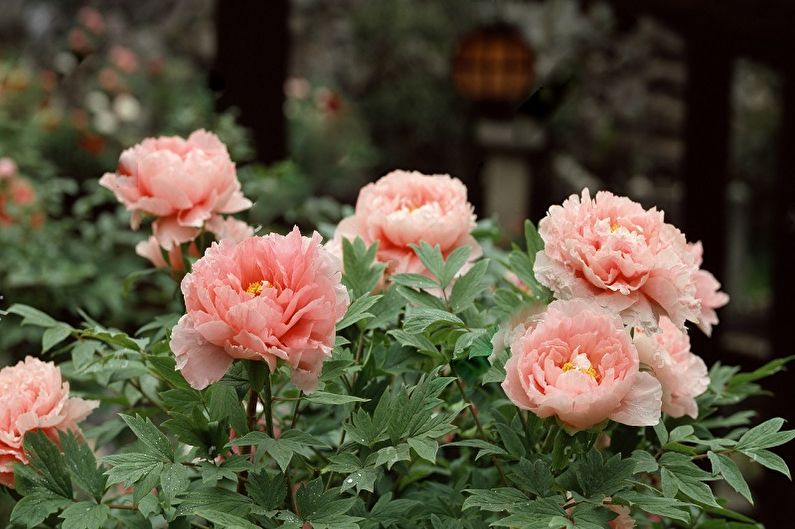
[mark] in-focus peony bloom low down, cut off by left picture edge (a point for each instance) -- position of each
(34, 397)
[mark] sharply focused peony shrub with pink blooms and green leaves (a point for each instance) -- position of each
(397, 375)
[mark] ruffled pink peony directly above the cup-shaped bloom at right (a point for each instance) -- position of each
(622, 256)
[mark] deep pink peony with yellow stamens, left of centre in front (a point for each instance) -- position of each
(265, 298)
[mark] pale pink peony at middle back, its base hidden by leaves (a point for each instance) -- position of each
(404, 208)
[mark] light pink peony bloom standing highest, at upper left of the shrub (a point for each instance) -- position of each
(184, 183)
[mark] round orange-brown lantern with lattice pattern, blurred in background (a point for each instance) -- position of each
(494, 65)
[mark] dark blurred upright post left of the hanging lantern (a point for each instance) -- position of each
(251, 67)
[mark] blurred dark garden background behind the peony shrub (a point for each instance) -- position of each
(687, 105)
